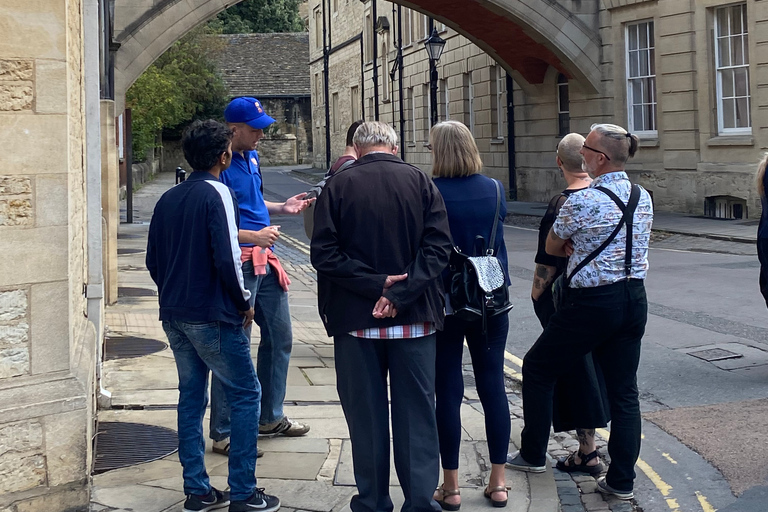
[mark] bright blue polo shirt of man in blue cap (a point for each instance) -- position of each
(244, 177)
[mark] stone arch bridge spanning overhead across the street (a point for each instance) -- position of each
(527, 36)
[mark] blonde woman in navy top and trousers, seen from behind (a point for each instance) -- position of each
(471, 202)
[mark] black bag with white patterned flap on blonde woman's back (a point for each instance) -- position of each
(477, 286)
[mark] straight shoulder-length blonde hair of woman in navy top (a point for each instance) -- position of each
(454, 151)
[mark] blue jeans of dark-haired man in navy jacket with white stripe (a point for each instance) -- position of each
(223, 349)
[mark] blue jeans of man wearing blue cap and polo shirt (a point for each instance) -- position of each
(270, 304)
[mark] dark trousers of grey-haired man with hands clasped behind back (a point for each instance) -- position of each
(362, 366)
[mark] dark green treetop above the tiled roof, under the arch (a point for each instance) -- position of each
(259, 16)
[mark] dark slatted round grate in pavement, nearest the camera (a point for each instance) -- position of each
(120, 445)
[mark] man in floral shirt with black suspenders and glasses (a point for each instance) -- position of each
(604, 310)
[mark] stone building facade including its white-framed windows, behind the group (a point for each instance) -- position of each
(686, 76)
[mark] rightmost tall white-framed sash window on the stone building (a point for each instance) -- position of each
(732, 67)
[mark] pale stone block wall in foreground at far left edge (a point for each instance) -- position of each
(46, 342)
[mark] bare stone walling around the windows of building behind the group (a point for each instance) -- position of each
(683, 164)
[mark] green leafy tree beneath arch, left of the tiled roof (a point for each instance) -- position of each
(180, 86)
